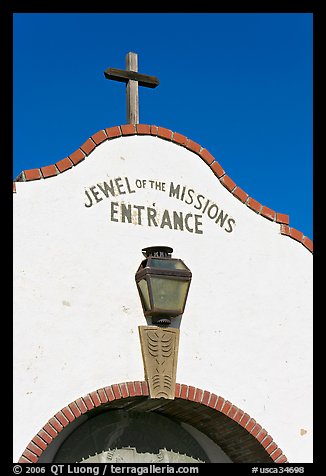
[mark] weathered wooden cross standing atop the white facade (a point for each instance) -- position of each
(132, 78)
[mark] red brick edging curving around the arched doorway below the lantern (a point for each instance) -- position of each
(140, 389)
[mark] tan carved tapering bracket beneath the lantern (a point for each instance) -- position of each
(159, 348)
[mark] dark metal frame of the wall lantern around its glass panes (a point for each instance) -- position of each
(147, 271)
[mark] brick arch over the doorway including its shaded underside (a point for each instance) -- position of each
(202, 403)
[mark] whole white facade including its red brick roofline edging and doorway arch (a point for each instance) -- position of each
(244, 362)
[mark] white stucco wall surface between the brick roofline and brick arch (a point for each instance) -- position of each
(247, 329)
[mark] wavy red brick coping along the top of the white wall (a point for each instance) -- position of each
(144, 129)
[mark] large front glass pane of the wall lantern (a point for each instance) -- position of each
(169, 294)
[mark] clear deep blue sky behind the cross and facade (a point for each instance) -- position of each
(239, 84)
